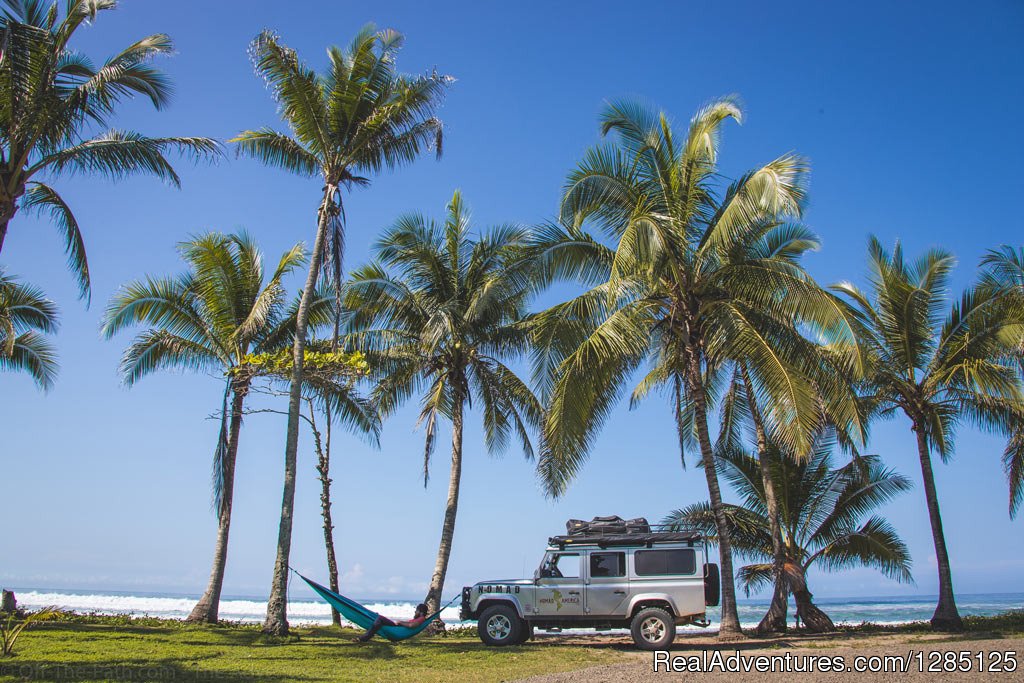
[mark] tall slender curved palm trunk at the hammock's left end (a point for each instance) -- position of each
(277, 607)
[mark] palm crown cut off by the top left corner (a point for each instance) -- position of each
(53, 102)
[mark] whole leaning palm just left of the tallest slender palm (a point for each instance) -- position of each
(212, 318)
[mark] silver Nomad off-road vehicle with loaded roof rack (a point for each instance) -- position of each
(649, 583)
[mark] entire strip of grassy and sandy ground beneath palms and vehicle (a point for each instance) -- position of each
(111, 649)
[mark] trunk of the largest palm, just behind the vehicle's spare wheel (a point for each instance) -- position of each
(730, 627)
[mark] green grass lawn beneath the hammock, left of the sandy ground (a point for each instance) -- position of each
(119, 650)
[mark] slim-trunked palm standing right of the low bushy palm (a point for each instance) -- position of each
(940, 367)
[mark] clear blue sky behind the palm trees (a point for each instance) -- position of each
(908, 112)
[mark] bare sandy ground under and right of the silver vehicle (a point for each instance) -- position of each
(639, 666)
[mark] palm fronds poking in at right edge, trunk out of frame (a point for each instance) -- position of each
(1003, 276)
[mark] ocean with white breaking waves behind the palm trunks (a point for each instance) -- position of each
(311, 612)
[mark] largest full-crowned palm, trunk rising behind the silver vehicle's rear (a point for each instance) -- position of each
(693, 281)
